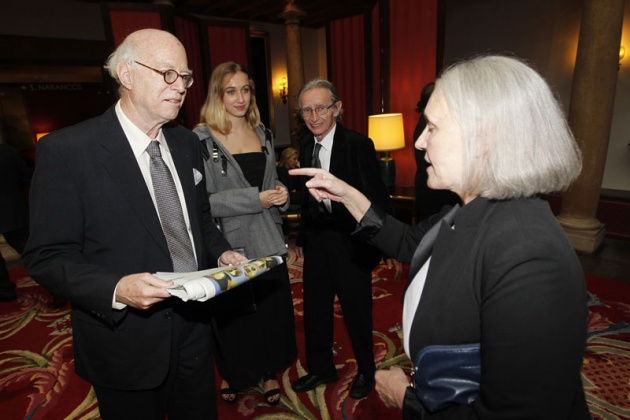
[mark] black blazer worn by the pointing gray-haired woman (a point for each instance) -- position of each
(505, 276)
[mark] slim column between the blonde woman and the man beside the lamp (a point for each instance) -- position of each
(295, 65)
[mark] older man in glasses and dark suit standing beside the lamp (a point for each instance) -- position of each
(334, 262)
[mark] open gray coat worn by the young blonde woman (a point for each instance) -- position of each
(245, 223)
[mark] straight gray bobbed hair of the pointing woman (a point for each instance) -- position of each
(517, 142)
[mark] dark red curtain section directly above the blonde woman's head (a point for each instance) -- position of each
(228, 43)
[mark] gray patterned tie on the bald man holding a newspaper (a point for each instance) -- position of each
(171, 214)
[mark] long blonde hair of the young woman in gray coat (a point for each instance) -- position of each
(213, 110)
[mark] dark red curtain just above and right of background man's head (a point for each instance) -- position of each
(347, 58)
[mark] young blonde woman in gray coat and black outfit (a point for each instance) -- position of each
(254, 323)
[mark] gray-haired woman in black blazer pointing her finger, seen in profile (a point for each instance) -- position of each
(501, 271)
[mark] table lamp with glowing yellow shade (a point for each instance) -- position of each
(387, 133)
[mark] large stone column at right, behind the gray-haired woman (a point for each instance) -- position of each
(590, 117)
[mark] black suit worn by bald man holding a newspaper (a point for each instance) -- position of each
(93, 222)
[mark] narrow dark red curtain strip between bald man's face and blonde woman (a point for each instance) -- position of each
(188, 33)
